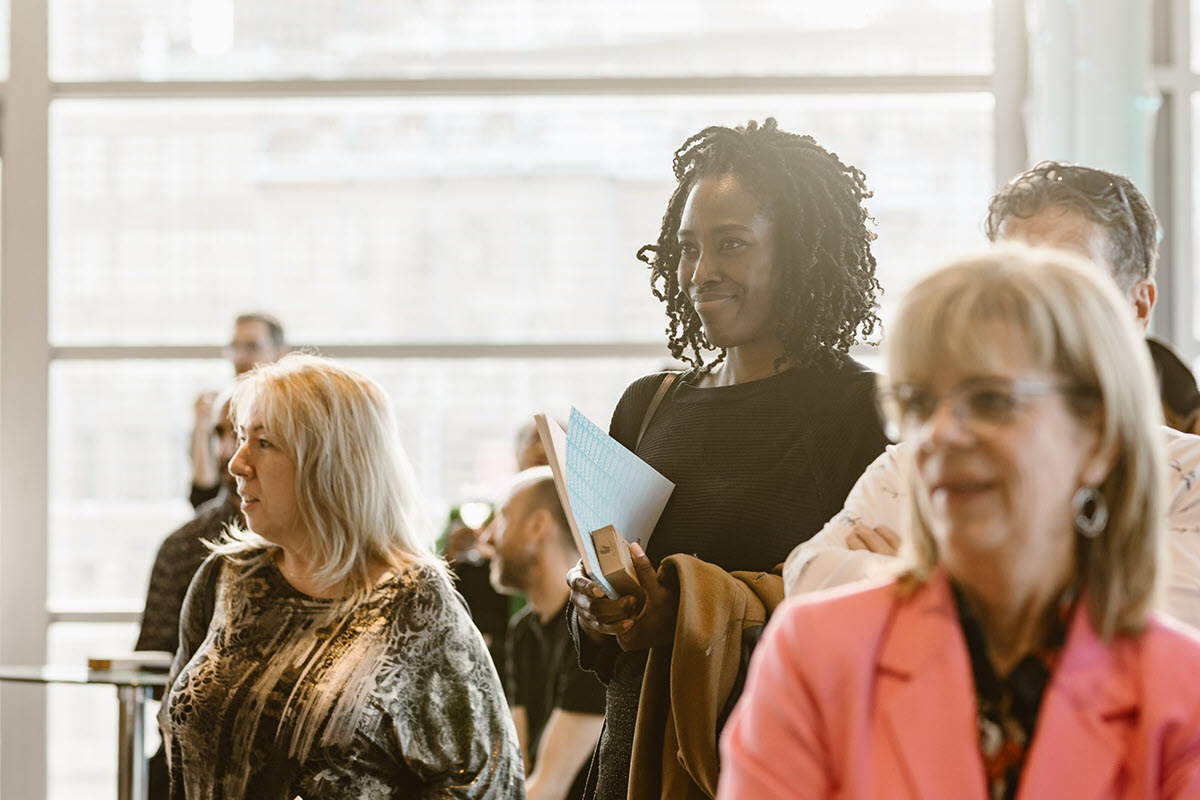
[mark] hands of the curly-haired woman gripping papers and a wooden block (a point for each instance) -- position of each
(640, 621)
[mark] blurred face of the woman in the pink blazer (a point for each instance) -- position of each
(997, 492)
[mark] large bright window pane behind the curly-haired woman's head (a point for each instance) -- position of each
(505, 220)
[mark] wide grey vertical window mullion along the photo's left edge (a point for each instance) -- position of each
(25, 364)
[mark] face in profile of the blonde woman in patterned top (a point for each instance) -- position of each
(267, 480)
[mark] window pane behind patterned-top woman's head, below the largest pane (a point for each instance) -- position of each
(119, 435)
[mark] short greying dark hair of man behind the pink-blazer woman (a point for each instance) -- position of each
(1107, 199)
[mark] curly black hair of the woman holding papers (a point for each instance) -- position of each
(827, 294)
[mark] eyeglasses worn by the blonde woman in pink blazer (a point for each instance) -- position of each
(977, 402)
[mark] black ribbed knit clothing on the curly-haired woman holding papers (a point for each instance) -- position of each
(759, 468)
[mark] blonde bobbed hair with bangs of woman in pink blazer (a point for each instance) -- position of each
(1078, 327)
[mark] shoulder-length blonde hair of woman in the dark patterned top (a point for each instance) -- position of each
(356, 491)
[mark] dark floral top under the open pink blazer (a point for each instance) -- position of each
(1007, 708)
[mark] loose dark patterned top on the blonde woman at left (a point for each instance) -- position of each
(278, 697)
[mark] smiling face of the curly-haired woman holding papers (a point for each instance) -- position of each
(728, 263)
